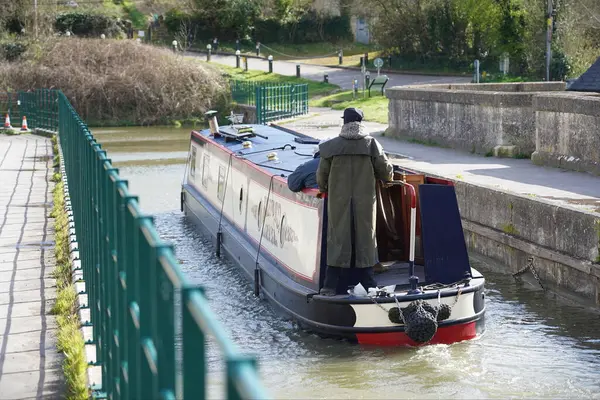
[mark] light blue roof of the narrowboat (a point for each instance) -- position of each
(292, 148)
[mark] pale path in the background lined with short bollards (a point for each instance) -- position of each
(337, 76)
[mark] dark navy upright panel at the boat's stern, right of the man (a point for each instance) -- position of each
(444, 248)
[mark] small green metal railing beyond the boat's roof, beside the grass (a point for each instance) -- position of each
(280, 101)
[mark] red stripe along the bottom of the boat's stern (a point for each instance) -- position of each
(444, 335)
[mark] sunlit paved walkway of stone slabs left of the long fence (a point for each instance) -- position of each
(30, 366)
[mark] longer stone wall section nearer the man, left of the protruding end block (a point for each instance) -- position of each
(481, 118)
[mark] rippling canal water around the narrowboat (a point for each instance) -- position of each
(535, 346)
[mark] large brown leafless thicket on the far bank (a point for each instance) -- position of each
(112, 81)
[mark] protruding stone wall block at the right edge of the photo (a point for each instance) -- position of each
(568, 131)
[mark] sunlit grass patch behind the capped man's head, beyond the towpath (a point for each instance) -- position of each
(375, 108)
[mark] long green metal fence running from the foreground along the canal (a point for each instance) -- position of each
(139, 299)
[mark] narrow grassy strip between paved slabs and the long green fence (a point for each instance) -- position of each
(69, 339)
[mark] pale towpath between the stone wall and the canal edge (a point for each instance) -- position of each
(557, 186)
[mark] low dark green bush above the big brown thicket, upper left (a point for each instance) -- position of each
(89, 25)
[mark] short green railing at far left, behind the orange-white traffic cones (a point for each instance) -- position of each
(40, 107)
